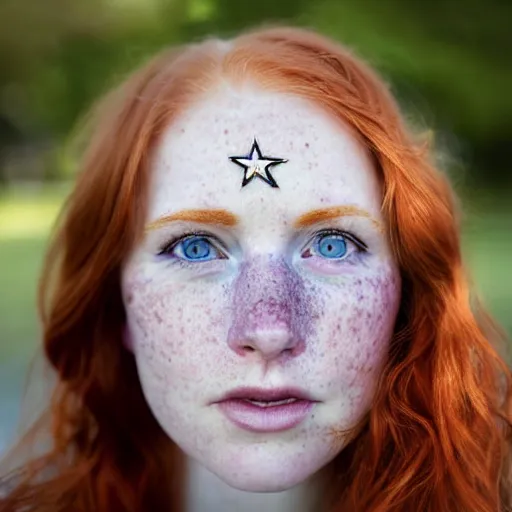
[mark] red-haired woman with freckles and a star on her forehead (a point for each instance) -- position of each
(255, 298)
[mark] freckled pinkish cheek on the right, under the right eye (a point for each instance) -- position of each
(356, 327)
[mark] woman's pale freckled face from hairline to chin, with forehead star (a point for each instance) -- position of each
(260, 315)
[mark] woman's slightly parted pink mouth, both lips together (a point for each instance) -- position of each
(266, 410)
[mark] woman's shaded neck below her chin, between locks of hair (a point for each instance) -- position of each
(207, 493)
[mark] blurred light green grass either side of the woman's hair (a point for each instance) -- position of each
(26, 217)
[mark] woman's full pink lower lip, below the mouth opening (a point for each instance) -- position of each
(275, 418)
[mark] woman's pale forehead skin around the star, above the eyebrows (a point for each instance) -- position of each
(326, 163)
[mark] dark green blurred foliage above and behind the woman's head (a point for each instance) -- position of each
(449, 62)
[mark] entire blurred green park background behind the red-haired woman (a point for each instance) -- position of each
(449, 63)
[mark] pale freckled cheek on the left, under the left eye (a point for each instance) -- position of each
(173, 326)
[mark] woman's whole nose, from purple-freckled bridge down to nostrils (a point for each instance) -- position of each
(268, 308)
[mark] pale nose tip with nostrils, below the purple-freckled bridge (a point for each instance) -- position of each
(266, 342)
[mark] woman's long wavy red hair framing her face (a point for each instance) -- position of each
(438, 435)
